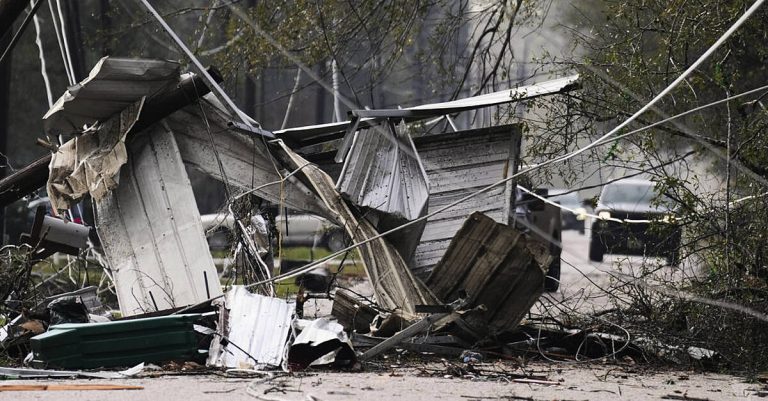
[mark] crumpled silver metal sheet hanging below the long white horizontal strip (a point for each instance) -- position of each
(383, 173)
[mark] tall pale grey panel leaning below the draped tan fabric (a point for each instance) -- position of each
(151, 231)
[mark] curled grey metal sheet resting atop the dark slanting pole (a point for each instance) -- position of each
(112, 85)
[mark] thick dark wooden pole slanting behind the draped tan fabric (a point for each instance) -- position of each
(33, 176)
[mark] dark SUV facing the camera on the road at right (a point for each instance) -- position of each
(634, 199)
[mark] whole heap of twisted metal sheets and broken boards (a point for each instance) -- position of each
(446, 240)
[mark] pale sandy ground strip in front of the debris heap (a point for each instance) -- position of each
(427, 381)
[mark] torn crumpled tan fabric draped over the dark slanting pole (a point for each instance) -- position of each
(90, 163)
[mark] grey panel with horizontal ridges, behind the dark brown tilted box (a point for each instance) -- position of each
(457, 165)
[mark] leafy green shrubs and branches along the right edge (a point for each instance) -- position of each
(633, 51)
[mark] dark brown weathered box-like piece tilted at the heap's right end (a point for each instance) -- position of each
(493, 265)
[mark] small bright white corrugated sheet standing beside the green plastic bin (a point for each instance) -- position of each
(256, 324)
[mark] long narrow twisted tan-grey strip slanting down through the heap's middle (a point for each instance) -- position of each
(393, 283)
